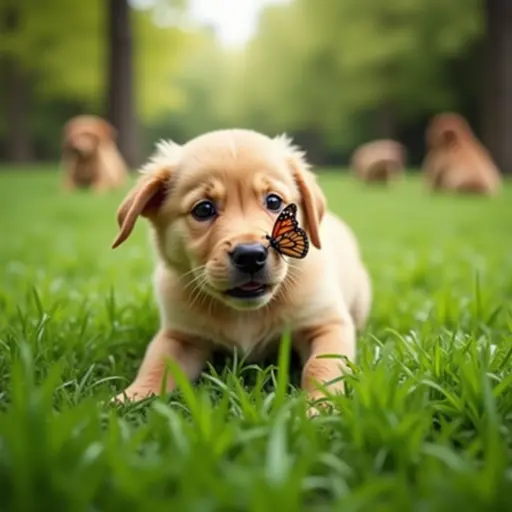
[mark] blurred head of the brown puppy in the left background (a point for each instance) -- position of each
(83, 134)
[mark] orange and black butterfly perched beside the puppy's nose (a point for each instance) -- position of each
(287, 237)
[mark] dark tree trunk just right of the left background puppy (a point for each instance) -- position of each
(120, 100)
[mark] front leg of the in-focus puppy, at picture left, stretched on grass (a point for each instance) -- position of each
(189, 356)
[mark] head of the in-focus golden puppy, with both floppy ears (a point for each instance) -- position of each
(213, 201)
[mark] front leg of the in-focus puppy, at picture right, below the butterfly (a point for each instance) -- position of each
(333, 339)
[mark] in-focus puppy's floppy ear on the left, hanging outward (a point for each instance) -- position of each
(148, 195)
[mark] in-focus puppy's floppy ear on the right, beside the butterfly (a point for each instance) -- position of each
(313, 199)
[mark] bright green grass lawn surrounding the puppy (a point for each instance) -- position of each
(426, 424)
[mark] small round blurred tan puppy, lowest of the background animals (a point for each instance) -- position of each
(379, 161)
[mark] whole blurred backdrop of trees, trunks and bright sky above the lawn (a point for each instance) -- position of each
(331, 73)
